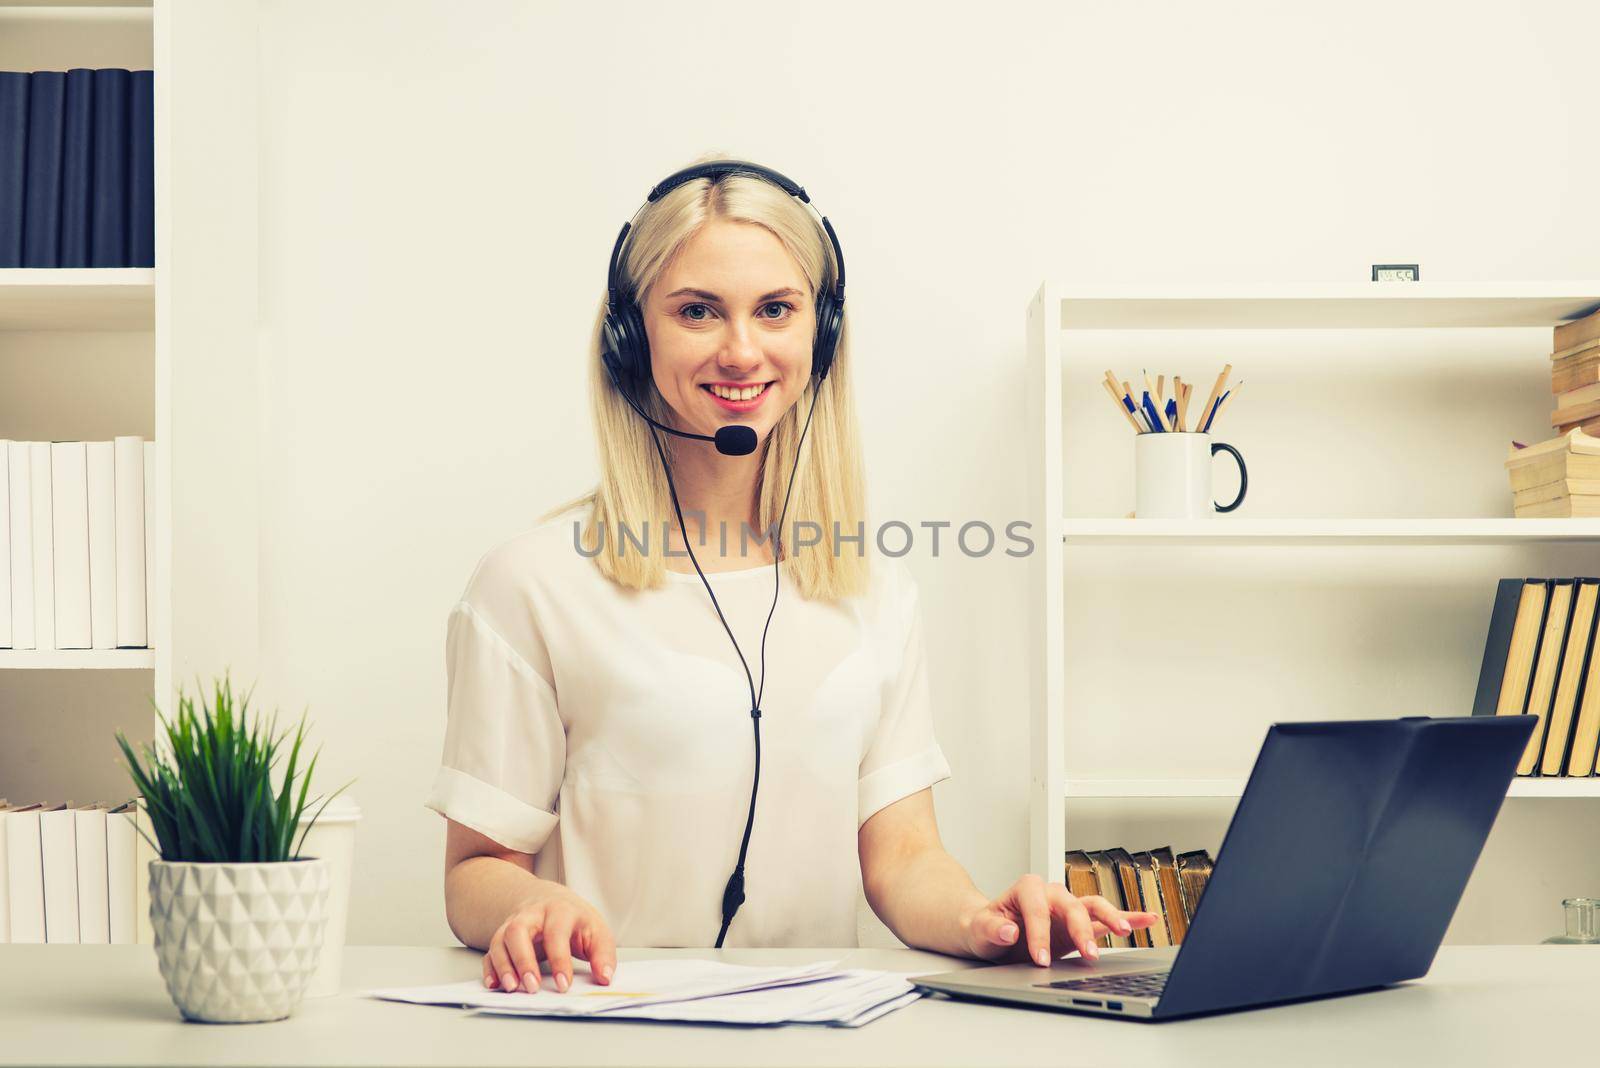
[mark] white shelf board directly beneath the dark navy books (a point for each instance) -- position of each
(78, 298)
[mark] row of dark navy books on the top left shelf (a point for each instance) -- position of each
(78, 169)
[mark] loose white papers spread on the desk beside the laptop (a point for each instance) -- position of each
(698, 992)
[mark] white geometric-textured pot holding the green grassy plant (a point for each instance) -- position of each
(239, 942)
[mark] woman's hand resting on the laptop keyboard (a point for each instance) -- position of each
(1041, 922)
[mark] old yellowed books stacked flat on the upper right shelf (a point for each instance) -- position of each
(1562, 477)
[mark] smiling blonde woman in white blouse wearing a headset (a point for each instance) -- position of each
(599, 775)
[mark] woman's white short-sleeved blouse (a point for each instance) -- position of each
(607, 731)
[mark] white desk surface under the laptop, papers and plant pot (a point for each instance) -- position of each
(94, 1005)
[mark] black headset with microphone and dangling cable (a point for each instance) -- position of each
(626, 356)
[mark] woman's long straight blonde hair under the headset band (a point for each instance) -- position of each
(830, 488)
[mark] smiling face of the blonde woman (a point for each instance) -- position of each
(730, 327)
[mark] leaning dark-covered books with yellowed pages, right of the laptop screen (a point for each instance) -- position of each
(1540, 661)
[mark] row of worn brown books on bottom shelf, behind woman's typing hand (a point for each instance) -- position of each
(1154, 882)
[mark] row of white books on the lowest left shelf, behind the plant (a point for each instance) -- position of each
(71, 872)
